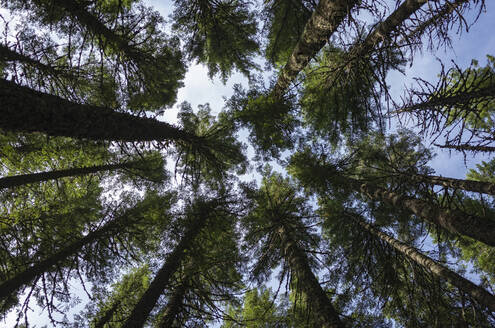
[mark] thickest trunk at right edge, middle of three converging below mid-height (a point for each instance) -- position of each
(482, 229)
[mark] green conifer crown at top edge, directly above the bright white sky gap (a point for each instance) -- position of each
(220, 34)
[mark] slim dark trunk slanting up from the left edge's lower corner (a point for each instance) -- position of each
(25, 277)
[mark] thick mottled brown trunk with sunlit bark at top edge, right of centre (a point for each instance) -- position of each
(327, 16)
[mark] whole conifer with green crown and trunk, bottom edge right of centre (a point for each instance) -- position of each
(277, 214)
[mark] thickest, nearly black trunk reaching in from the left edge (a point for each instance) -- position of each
(27, 110)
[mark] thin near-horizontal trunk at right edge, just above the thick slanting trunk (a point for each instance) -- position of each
(467, 185)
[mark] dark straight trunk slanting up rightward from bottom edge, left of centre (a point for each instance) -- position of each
(150, 297)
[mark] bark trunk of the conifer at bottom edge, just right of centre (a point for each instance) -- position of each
(325, 314)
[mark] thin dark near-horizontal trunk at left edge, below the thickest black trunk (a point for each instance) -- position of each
(18, 180)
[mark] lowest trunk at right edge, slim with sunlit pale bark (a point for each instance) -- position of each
(474, 291)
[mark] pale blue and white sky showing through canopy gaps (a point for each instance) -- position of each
(199, 89)
